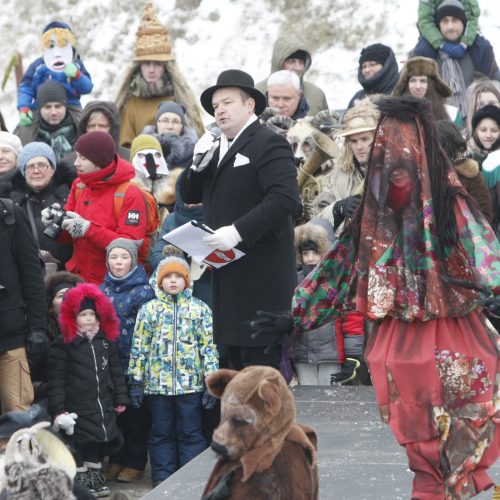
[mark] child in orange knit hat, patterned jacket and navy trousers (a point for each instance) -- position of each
(172, 353)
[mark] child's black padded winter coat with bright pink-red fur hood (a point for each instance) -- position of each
(85, 376)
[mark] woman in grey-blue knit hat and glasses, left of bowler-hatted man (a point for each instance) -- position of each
(176, 138)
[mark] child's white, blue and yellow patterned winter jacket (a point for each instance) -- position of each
(172, 349)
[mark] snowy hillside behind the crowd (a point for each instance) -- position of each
(213, 35)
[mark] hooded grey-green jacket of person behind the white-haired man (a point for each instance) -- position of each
(284, 46)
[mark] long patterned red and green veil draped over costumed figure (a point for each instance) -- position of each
(406, 256)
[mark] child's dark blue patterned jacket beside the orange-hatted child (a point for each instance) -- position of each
(127, 295)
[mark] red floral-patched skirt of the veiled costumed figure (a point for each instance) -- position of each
(437, 386)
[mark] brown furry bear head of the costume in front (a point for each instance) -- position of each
(257, 411)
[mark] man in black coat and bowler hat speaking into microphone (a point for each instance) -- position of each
(247, 182)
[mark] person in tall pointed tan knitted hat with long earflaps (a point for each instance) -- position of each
(154, 77)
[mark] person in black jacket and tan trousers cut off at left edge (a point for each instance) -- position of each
(23, 316)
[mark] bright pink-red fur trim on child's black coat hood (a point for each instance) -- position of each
(70, 307)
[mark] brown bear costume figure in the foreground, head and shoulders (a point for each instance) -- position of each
(263, 452)
